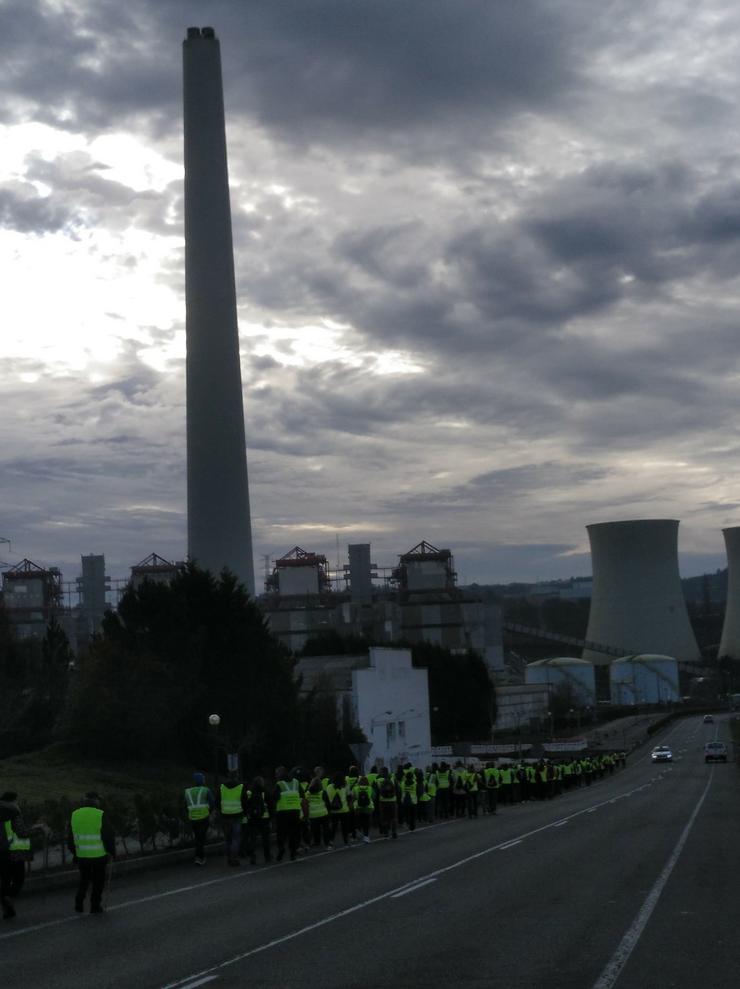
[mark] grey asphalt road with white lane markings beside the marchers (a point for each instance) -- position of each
(632, 882)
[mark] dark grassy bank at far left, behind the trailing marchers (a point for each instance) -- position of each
(58, 771)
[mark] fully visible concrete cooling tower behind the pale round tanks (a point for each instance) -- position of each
(637, 603)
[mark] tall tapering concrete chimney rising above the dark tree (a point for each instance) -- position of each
(219, 524)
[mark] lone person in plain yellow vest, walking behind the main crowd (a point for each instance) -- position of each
(92, 842)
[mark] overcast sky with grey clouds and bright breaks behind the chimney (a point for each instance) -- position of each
(487, 262)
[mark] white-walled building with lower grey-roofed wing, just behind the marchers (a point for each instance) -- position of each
(384, 696)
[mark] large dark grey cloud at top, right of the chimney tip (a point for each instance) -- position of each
(328, 67)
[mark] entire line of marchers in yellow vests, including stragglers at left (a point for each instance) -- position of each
(296, 812)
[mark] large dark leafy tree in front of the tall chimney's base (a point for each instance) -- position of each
(197, 646)
